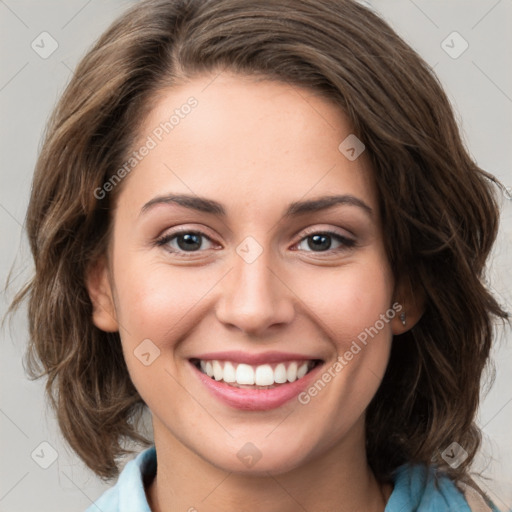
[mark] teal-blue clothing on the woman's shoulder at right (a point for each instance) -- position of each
(427, 489)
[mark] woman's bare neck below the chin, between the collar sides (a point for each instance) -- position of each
(184, 481)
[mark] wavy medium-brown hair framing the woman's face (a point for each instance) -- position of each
(438, 208)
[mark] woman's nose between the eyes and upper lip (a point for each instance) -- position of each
(255, 296)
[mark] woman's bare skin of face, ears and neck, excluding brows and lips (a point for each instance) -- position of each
(255, 147)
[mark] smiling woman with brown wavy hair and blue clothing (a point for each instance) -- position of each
(196, 173)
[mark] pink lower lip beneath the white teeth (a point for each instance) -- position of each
(256, 399)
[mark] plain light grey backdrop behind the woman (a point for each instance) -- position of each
(478, 82)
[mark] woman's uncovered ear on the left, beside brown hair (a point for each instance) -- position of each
(100, 292)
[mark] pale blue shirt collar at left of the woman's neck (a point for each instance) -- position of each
(128, 493)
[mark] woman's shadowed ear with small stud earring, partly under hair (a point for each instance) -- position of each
(409, 305)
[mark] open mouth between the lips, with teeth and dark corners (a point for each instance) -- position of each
(263, 376)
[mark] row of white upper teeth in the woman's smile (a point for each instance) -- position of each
(261, 375)
